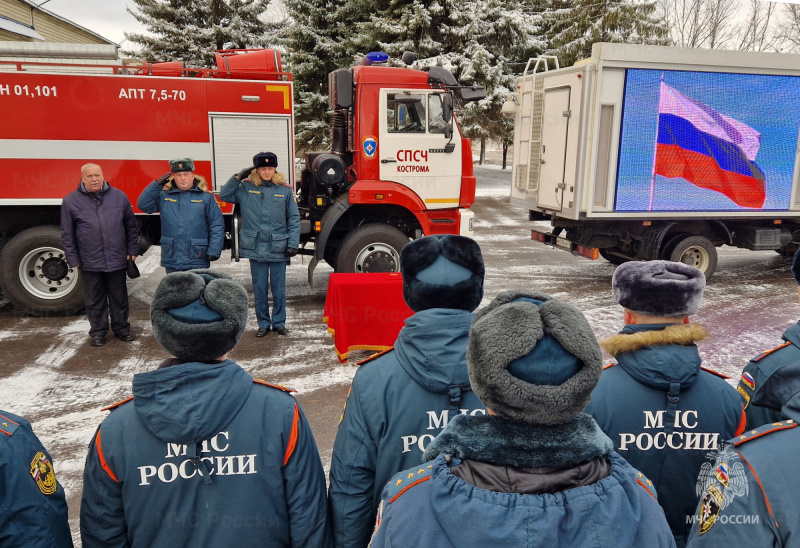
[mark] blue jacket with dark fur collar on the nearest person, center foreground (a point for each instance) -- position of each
(587, 497)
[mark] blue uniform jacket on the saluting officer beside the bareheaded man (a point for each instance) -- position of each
(191, 224)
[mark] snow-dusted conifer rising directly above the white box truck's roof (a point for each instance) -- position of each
(575, 26)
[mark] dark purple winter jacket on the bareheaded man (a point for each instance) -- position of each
(98, 229)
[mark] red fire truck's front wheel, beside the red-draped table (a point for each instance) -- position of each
(371, 248)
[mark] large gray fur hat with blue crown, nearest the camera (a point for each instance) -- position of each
(532, 358)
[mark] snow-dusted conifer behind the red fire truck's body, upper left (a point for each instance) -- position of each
(193, 30)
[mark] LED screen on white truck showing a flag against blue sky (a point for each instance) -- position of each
(700, 141)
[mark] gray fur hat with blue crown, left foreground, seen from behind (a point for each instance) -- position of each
(198, 315)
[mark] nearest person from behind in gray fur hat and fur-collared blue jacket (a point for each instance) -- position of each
(535, 472)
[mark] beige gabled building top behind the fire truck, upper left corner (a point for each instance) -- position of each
(50, 27)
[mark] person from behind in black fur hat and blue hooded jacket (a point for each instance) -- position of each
(401, 399)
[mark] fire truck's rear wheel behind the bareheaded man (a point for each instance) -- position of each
(35, 276)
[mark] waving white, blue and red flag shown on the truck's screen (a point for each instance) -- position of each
(708, 149)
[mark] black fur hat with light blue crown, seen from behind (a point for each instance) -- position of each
(442, 272)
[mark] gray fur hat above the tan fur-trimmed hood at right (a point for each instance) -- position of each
(659, 288)
